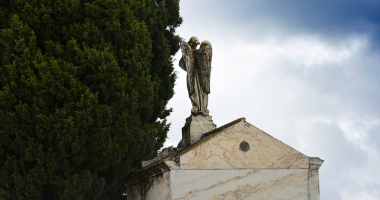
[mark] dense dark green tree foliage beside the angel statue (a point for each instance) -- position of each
(83, 93)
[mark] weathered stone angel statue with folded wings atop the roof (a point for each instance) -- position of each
(197, 64)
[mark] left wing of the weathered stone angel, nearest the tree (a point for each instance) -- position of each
(188, 63)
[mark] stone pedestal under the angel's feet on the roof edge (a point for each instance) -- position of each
(194, 128)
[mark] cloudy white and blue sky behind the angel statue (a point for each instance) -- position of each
(307, 72)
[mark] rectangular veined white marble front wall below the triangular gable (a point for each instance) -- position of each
(244, 184)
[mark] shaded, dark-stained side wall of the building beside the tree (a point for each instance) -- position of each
(155, 188)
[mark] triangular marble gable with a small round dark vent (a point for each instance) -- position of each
(222, 151)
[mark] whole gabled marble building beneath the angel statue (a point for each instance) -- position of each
(215, 168)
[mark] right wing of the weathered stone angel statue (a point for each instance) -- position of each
(205, 57)
